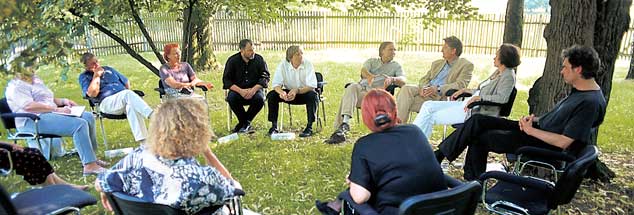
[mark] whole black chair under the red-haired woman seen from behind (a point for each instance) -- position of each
(460, 198)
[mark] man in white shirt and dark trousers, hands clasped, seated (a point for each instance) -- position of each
(294, 82)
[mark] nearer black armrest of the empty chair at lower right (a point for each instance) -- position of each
(524, 181)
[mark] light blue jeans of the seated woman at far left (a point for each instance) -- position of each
(82, 129)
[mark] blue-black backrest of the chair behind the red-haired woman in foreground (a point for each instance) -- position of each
(461, 199)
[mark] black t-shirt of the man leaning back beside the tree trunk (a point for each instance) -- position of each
(575, 116)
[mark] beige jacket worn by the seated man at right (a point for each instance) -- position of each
(458, 78)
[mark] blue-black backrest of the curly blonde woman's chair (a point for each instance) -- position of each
(125, 204)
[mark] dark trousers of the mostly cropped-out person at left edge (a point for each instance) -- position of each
(28, 162)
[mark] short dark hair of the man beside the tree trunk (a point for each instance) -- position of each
(583, 56)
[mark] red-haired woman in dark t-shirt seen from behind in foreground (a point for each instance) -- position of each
(390, 164)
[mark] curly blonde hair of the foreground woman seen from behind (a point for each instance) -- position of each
(179, 128)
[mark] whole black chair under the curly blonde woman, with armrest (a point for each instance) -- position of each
(123, 204)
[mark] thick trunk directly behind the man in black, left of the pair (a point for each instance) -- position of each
(571, 22)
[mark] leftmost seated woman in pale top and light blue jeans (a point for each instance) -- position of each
(26, 93)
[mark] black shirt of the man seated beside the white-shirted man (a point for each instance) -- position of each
(243, 74)
